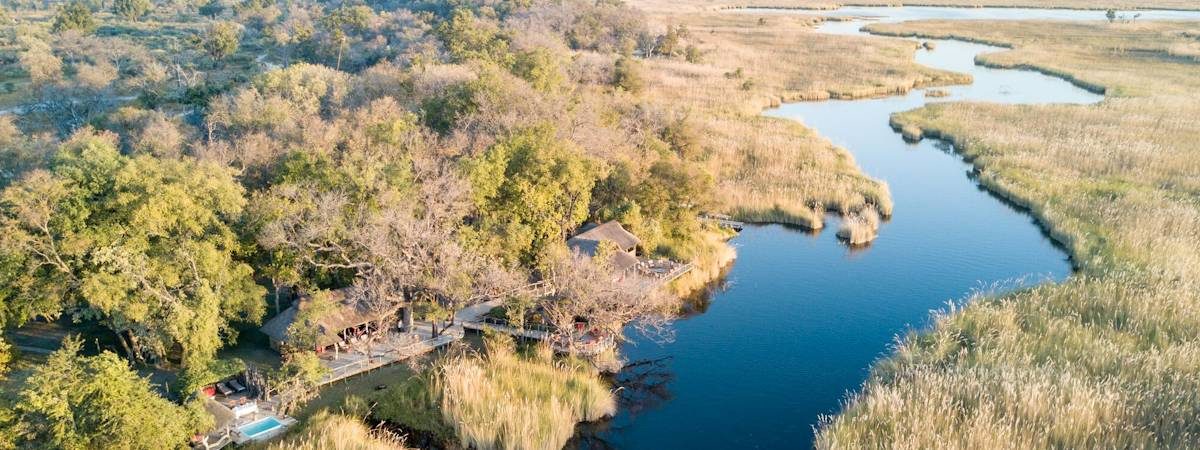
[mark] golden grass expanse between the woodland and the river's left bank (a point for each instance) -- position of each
(775, 170)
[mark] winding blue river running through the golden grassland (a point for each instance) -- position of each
(800, 317)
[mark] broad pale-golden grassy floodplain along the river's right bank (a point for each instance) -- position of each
(1112, 357)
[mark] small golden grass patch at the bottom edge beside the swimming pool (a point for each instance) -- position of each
(327, 431)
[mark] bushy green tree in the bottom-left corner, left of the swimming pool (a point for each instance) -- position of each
(94, 403)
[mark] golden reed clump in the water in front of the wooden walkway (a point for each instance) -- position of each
(505, 400)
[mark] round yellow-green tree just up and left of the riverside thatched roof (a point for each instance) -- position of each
(530, 189)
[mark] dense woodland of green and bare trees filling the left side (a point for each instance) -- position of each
(173, 171)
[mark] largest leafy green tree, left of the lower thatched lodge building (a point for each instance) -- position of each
(142, 244)
